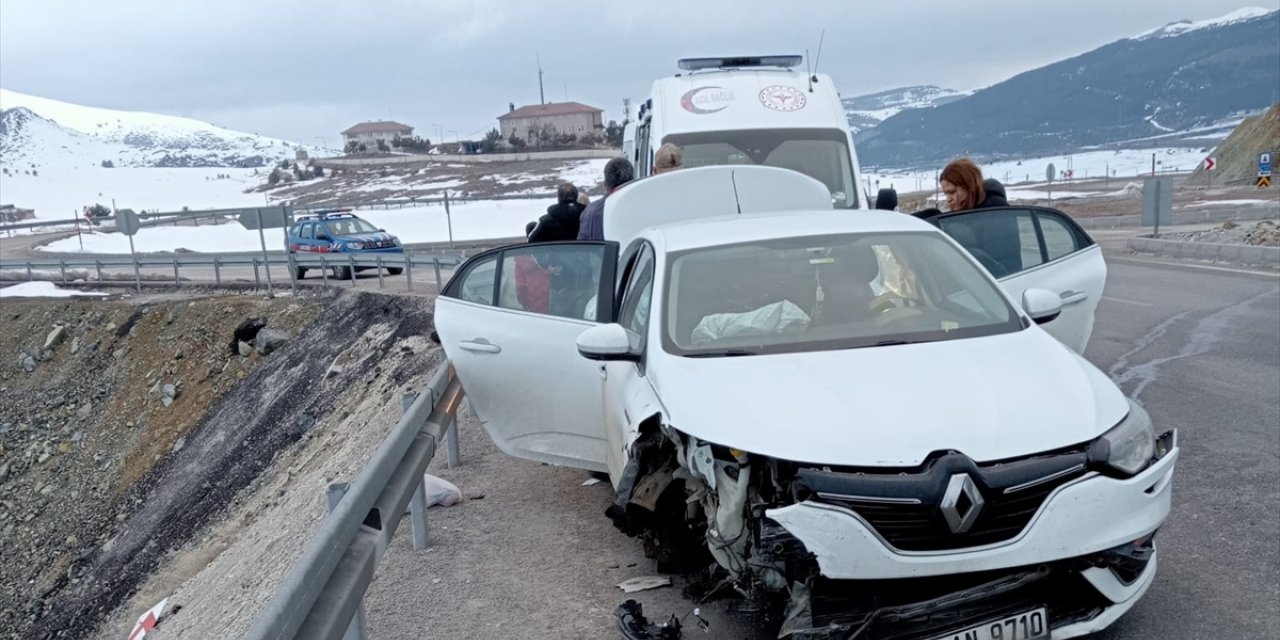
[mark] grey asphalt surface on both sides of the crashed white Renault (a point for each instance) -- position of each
(1199, 346)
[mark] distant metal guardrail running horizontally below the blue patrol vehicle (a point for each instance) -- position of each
(330, 267)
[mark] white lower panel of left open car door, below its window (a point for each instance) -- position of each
(528, 412)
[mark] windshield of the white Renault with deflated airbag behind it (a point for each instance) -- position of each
(829, 292)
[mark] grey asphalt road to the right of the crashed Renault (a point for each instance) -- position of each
(1200, 349)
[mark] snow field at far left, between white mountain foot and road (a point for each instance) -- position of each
(61, 194)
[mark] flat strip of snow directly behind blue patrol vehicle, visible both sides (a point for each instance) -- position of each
(481, 220)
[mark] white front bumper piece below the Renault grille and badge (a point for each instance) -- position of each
(1085, 516)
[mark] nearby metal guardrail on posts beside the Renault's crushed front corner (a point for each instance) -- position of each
(323, 593)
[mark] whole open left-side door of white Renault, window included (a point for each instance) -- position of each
(509, 321)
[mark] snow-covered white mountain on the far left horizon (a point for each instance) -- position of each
(38, 132)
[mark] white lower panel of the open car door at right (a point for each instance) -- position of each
(1078, 280)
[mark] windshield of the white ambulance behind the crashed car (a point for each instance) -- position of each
(821, 154)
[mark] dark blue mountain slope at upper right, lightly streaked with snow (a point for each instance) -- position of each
(1182, 84)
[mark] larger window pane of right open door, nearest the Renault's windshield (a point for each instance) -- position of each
(1004, 241)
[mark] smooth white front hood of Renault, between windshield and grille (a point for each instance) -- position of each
(990, 399)
